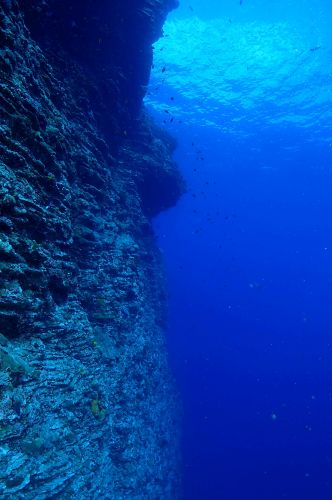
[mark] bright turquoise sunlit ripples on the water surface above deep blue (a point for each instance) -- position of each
(227, 75)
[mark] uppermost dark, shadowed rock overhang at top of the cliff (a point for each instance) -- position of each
(111, 38)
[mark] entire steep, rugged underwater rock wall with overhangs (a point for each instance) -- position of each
(87, 408)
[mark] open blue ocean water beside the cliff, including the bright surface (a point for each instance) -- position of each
(245, 87)
